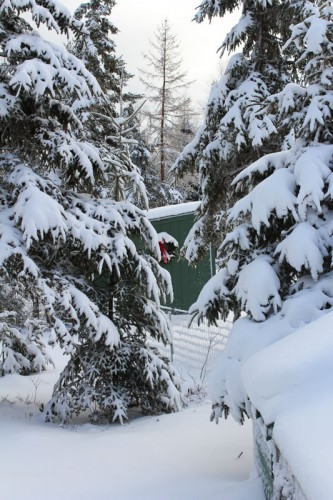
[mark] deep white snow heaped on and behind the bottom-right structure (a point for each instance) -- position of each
(286, 372)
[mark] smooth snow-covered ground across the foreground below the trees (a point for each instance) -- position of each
(177, 456)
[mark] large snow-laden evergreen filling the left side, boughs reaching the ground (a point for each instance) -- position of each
(64, 241)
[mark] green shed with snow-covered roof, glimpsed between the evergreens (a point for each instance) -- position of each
(176, 221)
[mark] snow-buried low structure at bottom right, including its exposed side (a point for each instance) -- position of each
(285, 378)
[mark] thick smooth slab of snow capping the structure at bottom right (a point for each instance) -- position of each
(291, 384)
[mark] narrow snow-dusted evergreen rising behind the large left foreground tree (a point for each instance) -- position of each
(108, 124)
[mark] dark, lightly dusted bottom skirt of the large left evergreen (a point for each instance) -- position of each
(110, 382)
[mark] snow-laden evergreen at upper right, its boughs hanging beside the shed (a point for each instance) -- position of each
(235, 133)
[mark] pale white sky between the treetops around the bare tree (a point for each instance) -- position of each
(137, 21)
